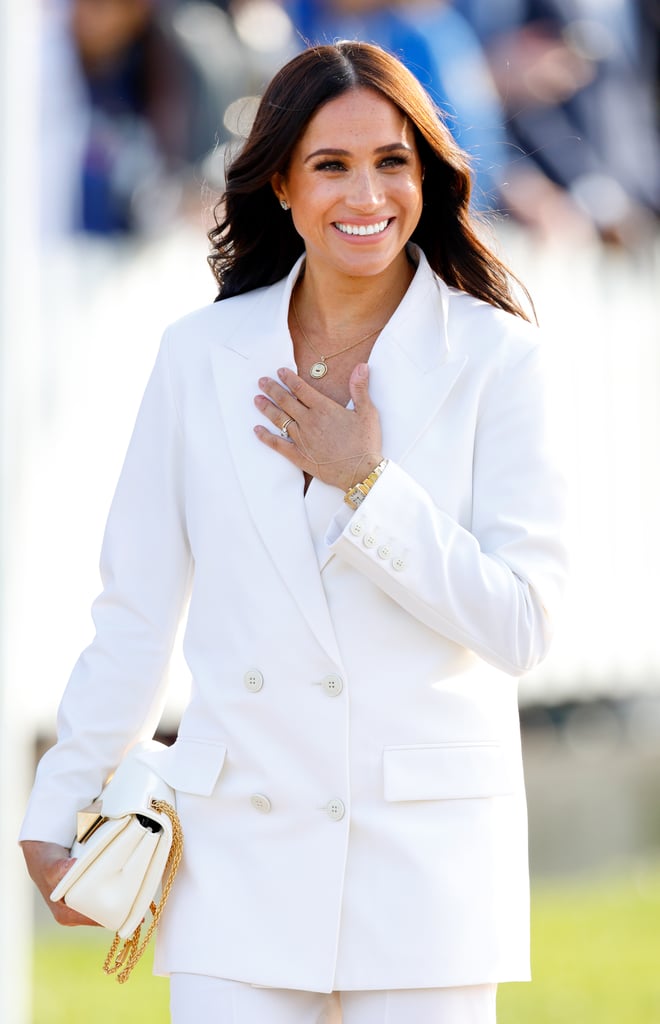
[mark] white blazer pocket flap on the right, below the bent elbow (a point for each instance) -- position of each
(446, 772)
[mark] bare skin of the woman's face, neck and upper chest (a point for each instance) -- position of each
(355, 207)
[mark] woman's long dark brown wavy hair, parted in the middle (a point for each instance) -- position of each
(254, 242)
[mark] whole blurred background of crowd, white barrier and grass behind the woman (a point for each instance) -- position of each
(117, 118)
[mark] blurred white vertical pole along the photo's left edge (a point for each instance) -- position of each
(20, 266)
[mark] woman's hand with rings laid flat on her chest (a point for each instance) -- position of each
(336, 445)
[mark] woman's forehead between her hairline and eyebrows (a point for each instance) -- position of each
(361, 115)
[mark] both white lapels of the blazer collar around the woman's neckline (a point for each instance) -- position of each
(411, 375)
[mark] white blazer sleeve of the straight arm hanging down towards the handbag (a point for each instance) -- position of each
(117, 692)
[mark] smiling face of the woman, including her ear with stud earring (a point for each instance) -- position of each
(355, 186)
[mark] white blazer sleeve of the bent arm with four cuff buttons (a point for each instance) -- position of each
(493, 588)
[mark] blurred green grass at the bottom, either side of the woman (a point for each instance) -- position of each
(596, 961)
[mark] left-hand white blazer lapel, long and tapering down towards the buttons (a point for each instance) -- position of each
(273, 488)
